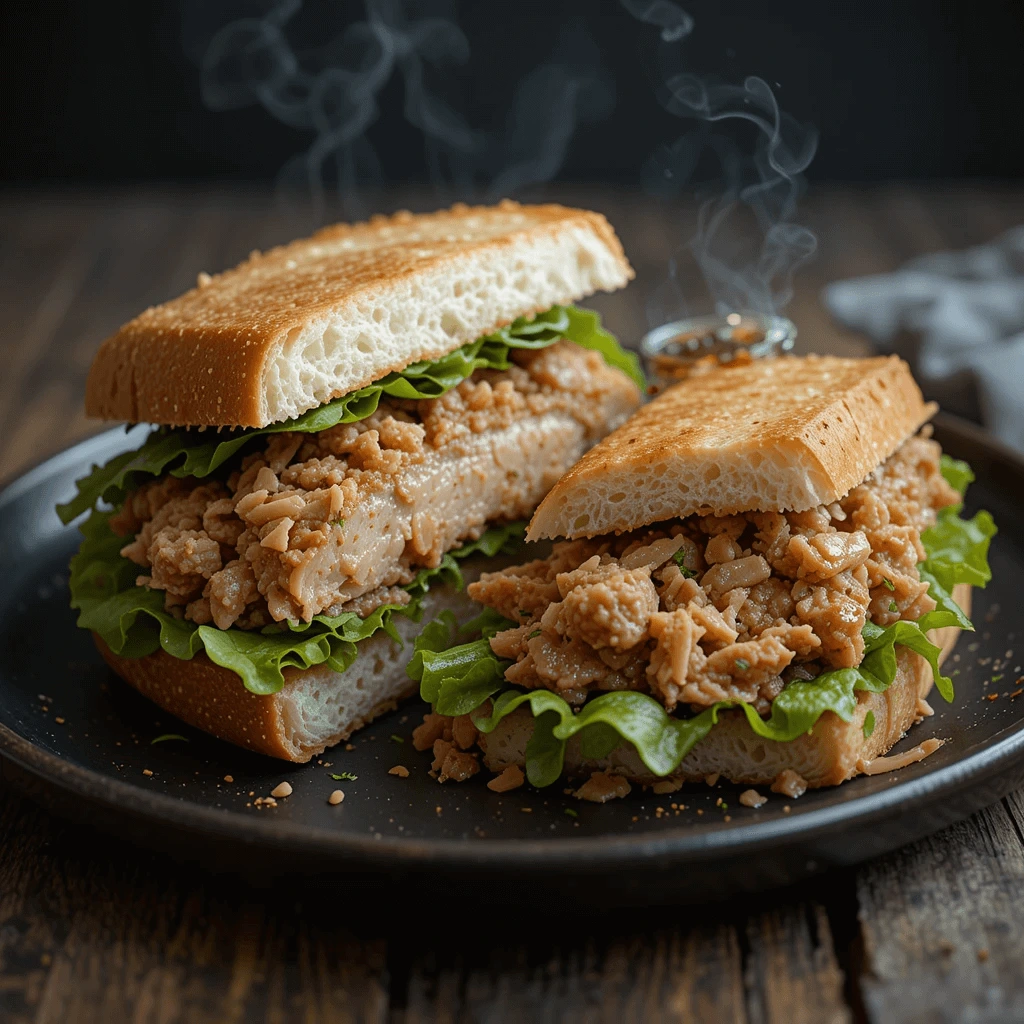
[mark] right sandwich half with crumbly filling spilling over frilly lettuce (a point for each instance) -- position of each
(756, 578)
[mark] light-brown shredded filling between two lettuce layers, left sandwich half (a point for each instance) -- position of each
(337, 521)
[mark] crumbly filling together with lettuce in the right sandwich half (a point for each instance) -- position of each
(647, 638)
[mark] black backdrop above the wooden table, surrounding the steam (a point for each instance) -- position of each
(111, 92)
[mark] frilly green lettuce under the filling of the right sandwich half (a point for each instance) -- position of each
(459, 679)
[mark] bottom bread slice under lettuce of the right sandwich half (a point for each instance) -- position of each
(835, 751)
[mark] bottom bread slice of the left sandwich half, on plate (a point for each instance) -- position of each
(316, 709)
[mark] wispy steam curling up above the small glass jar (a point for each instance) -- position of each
(765, 184)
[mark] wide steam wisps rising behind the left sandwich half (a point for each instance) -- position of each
(334, 95)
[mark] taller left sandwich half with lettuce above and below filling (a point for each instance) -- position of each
(337, 425)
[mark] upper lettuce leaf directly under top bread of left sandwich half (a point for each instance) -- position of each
(200, 453)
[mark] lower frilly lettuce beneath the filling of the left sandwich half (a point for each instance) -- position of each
(133, 621)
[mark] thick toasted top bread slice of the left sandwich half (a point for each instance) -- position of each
(293, 328)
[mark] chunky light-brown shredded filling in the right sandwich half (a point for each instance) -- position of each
(716, 609)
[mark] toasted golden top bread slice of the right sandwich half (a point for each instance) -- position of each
(780, 435)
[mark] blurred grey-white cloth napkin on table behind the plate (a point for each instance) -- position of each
(964, 314)
